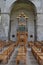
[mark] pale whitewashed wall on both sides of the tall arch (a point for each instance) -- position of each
(6, 8)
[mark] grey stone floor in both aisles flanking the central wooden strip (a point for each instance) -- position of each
(30, 60)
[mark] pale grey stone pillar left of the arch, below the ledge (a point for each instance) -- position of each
(5, 21)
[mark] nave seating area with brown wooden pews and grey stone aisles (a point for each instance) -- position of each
(9, 54)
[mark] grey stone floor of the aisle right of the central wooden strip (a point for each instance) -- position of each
(30, 58)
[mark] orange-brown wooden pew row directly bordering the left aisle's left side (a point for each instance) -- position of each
(4, 57)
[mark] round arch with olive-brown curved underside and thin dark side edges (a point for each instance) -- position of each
(28, 5)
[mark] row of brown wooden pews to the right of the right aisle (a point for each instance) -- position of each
(37, 50)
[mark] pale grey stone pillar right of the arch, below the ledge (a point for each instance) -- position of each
(40, 27)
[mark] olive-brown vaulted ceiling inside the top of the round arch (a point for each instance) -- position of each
(23, 4)
